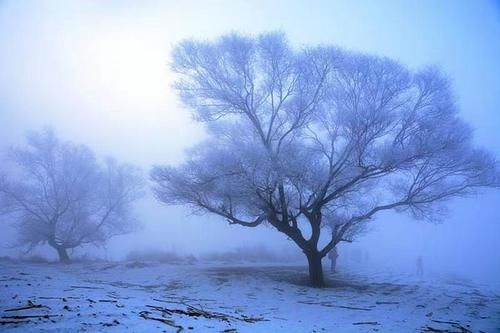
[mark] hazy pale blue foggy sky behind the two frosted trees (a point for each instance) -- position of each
(97, 72)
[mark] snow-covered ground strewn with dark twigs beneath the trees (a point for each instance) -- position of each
(149, 297)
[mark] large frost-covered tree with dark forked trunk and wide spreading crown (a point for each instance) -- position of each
(317, 139)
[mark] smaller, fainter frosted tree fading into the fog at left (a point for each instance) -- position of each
(59, 194)
